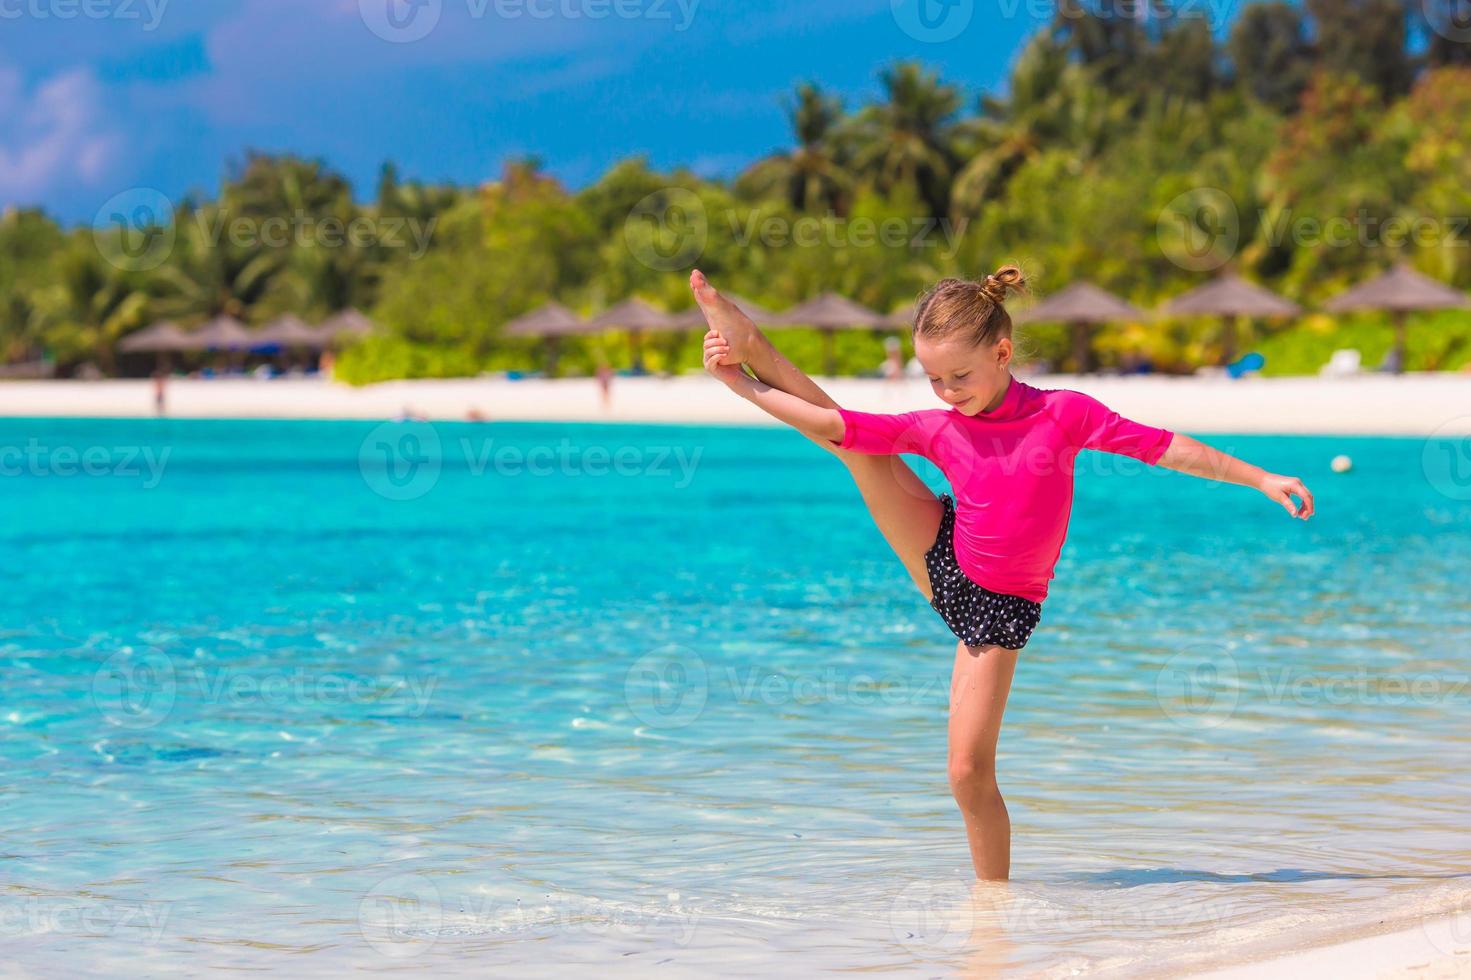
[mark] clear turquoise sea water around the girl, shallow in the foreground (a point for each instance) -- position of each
(658, 701)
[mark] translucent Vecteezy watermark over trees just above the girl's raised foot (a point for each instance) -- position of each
(670, 230)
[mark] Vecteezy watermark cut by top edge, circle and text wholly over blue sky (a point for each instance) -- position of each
(408, 21)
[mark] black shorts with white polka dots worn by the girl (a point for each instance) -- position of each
(976, 616)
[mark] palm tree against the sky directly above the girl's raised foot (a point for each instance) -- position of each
(810, 177)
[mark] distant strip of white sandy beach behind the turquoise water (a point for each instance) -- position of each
(1369, 405)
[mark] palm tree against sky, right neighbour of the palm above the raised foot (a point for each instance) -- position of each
(905, 141)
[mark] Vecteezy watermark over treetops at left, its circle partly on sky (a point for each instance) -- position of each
(139, 229)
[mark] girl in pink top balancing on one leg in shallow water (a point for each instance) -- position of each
(985, 557)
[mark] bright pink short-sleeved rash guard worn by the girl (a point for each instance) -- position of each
(1011, 472)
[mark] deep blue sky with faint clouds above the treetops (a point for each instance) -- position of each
(101, 96)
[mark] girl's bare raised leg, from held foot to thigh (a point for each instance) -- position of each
(905, 510)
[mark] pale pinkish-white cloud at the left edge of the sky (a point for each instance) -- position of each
(54, 135)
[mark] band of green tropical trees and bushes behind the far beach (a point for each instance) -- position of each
(1329, 141)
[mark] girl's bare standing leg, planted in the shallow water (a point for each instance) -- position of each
(979, 689)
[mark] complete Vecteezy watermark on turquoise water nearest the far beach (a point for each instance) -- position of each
(404, 461)
